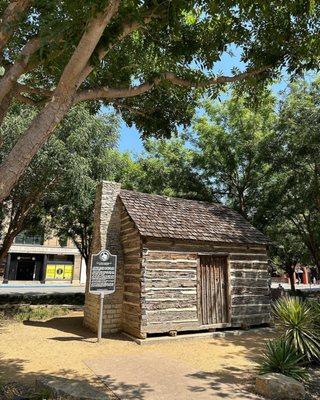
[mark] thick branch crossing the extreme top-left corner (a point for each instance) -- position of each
(9, 17)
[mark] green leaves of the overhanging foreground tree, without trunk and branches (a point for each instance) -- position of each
(187, 38)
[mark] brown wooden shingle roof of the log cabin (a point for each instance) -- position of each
(174, 218)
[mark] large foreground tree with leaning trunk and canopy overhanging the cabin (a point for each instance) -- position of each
(147, 59)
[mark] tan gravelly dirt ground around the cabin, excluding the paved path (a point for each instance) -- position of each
(59, 347)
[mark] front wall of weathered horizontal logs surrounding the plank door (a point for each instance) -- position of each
(169, 295)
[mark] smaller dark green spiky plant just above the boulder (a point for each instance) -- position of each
(281, 357)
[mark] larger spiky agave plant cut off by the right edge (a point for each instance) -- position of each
(297, 320)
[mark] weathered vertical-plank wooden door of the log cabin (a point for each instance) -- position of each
(213, 290)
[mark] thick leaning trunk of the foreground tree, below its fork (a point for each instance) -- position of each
(28, 145)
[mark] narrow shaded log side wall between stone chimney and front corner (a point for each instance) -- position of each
(132, 249)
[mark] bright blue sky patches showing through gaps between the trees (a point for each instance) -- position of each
(130, 138)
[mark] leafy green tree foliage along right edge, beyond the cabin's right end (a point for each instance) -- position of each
(293, 220)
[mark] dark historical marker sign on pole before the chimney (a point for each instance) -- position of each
(102, 279)
